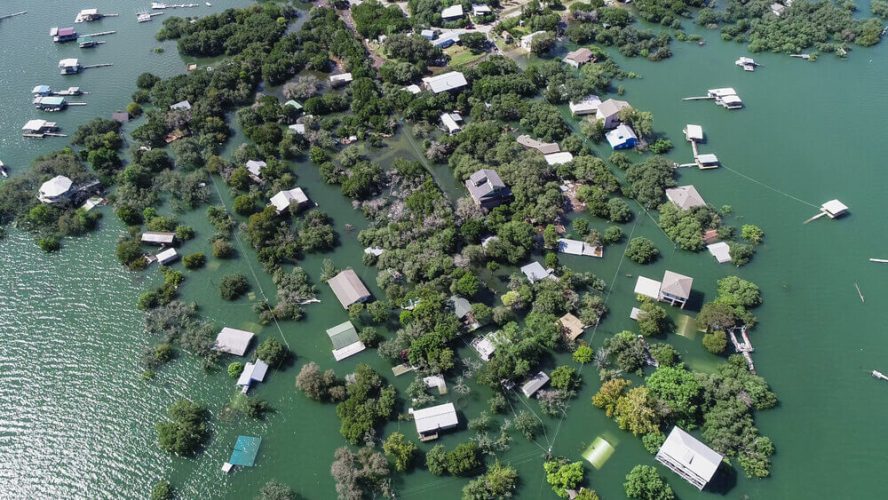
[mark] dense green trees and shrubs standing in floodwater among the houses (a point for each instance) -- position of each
(433, 243)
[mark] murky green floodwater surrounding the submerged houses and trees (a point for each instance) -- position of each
(78, 421)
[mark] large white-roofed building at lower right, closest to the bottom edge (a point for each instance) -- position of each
(689, 458)
